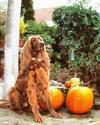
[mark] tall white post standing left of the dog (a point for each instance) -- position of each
(11, 44)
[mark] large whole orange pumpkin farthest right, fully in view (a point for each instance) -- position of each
(79, 99)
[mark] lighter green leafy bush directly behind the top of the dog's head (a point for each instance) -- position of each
(47, 33)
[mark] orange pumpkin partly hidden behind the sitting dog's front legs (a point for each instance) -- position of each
(56, 99)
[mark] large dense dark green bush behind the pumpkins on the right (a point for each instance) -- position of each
(77, 37)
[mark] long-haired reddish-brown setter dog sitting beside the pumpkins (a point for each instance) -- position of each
(33, 80)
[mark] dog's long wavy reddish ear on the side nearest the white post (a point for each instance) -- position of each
(26, 55)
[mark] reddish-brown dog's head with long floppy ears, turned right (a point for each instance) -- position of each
(33, 48)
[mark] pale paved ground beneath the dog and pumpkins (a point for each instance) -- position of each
(8, 117)
